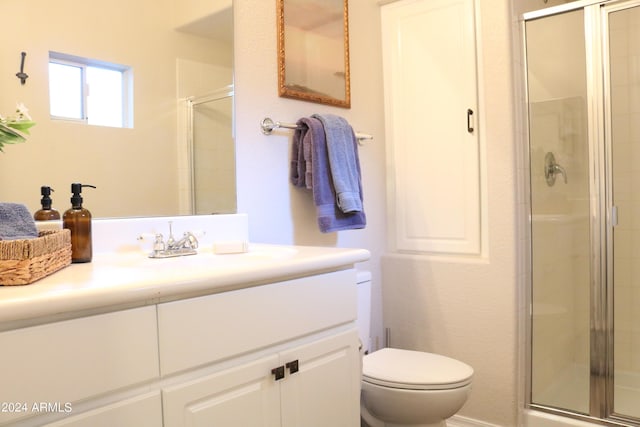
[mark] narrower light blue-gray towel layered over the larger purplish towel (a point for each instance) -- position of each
(343, 160)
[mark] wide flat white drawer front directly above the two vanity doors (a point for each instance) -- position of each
(202, 330)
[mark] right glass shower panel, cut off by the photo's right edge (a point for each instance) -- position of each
(622, 54)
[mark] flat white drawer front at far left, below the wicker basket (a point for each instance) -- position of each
(76, 359)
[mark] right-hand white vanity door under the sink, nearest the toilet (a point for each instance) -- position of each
(324, 388)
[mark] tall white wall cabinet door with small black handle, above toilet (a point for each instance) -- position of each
(429, 61)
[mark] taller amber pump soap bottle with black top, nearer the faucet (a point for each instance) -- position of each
(78, 220)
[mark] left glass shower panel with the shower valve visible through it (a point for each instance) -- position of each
(560, 211)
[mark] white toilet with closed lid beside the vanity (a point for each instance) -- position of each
(405, 387)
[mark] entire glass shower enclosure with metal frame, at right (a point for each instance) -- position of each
(583, 92)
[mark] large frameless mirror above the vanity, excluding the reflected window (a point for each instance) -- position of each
(181, 56)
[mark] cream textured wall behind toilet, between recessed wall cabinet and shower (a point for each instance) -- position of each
(467, 308)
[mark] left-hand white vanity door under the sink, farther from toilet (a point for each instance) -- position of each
(243, 396)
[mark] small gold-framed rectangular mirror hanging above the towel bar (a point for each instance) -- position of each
(313, 51)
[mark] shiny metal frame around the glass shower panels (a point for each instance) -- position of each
(599, 135)
